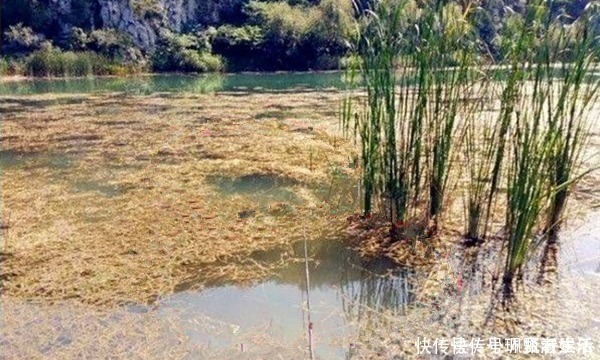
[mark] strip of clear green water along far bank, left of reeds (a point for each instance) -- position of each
(174, 83)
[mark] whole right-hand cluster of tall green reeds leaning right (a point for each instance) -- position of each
(548, 134)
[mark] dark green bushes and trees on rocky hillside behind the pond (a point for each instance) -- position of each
(260, 35)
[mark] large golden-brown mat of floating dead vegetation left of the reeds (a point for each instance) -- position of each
(127, 206)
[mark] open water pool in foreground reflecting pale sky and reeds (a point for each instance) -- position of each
(346, 293)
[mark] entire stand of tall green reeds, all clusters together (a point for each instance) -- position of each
(428, 84)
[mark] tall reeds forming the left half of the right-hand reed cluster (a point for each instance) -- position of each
(526, 182)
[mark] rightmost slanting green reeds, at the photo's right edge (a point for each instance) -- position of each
(568, 128)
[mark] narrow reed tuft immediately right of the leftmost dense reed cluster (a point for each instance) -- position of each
(449, 45)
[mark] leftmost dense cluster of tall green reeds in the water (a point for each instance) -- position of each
(377, 48)
